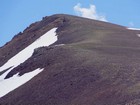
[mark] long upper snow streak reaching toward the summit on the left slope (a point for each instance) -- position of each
(45, 40)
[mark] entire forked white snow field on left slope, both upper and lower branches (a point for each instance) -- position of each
(45, 40)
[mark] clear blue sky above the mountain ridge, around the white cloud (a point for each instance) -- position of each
(16, 15)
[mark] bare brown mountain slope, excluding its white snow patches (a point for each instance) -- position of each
(98, 64)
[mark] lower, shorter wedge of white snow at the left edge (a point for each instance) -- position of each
(14, 82)
